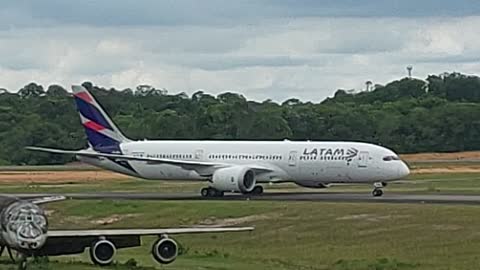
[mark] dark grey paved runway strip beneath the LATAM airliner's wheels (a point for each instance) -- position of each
(313, 196)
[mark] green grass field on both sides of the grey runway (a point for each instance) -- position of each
(288, 235)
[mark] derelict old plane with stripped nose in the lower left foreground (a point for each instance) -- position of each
(24, 228)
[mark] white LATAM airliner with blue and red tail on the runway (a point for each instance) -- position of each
(231, 166)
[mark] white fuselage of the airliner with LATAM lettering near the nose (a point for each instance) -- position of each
(305, 163)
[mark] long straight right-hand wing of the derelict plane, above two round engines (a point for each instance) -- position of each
(142, 232)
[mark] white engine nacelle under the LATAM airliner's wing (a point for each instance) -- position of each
(236, 178)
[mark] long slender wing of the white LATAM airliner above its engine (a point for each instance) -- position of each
(193, 165)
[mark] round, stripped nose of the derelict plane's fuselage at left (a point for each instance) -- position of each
(24, 226)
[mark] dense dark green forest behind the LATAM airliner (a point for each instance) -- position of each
(408, 115)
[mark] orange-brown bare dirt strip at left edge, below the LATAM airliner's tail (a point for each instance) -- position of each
(57, 176)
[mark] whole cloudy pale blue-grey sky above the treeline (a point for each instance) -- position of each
(263, 49)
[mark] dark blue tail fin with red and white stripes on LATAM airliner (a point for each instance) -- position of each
(102, 134)
